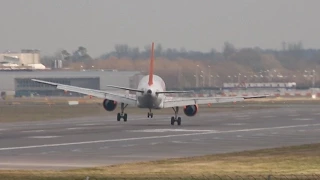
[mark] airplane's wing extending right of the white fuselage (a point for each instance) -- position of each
(205, 100)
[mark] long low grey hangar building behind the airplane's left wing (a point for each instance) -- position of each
(19, 82)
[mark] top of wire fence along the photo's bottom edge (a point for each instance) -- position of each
(214, 177)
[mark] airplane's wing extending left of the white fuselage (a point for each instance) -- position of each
(92, 92)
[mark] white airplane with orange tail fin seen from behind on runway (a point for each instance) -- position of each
(150, 94)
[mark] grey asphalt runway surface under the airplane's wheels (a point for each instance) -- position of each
(95, 141)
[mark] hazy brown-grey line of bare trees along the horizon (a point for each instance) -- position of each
(289, 61)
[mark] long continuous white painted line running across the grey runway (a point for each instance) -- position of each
(155, 137)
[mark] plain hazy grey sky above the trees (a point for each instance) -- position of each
(194, 24)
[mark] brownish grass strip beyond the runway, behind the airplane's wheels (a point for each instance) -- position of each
(34, 109)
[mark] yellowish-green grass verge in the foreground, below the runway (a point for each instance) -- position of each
(286, 161)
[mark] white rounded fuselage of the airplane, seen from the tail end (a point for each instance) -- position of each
(149, 98)
